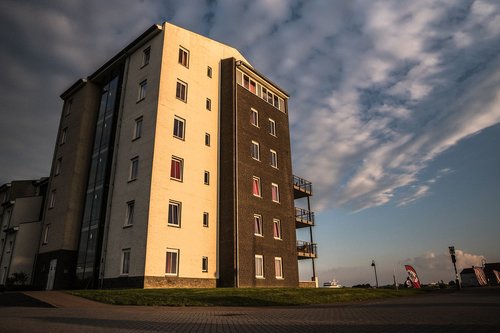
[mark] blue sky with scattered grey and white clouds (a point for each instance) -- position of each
(394, 112)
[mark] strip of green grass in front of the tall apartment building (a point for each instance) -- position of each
(239, 297)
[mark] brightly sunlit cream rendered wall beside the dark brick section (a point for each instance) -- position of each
(191, 239)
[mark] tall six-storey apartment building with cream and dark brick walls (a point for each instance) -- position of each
(172, 168)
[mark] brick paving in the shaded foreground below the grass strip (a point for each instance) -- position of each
(473, 310)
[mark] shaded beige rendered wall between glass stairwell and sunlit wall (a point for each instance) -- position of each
(122, 190)
